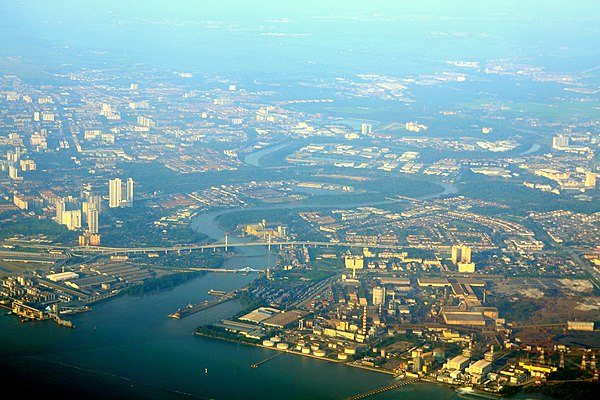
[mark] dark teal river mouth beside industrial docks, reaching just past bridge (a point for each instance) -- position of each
(127, 348)
